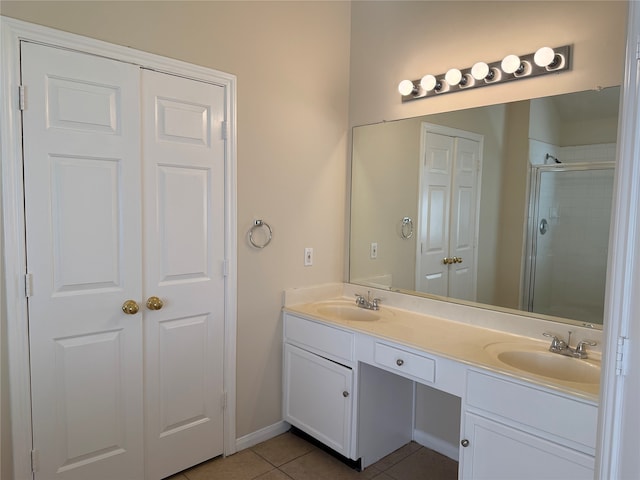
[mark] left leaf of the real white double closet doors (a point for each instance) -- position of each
(83, 204)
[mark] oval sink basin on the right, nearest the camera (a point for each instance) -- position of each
(540, 361)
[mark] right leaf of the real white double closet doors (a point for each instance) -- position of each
(183, 157)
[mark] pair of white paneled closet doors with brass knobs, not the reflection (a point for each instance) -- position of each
(123, 201)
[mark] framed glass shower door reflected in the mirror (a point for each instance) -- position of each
(569, 217)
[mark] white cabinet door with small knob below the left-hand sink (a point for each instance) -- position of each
(317, 397)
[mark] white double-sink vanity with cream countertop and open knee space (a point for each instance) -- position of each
(351, 374)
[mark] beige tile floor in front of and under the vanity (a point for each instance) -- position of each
(288, 457)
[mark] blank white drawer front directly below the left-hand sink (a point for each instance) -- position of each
(322, 339)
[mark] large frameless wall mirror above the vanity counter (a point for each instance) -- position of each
(506, 206)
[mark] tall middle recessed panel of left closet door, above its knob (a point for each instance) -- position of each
(86, 223)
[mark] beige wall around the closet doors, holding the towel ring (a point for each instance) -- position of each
(291, 60)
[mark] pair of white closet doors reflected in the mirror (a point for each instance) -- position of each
(448, 226)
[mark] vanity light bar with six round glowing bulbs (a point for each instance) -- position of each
(542, 62)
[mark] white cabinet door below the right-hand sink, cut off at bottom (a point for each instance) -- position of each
(496, 451)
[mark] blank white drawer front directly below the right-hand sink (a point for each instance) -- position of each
(544, 411)
